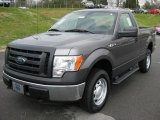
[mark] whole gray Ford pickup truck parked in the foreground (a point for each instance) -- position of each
(80, 56)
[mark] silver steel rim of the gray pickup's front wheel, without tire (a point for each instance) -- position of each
(100, 91)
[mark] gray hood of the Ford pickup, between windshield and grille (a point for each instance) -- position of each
(60, 40)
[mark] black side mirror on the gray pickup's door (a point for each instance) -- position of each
(128, 32)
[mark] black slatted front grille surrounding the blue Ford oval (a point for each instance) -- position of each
(36, 62)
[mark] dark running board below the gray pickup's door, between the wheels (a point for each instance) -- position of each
(122, 78)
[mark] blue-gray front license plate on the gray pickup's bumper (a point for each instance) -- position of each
(18, 87)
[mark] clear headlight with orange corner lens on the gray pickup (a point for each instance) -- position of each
(62, 64)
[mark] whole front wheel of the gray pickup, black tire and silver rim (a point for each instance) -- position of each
(97, 90)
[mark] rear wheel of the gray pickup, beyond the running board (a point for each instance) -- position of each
(145, 64)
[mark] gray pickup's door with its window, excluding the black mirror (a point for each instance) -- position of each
(125, 50)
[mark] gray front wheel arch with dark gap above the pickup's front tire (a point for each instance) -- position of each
(100, 58)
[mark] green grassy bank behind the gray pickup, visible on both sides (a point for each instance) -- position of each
(18, 23)
